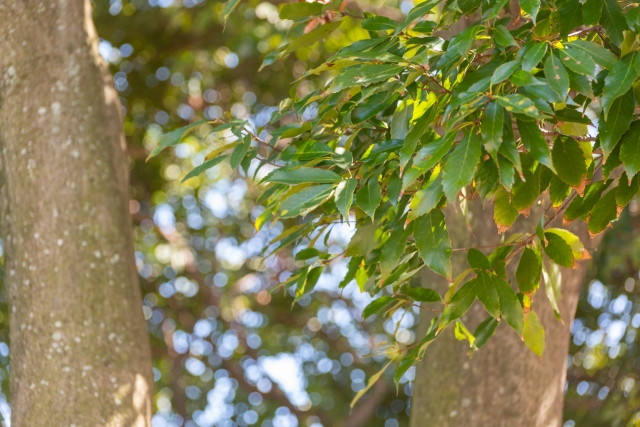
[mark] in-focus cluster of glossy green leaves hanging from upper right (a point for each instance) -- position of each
(416, 117)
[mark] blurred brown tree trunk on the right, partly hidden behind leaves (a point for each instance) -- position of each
(504, 384)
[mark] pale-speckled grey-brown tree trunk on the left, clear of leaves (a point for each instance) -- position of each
(79, 350)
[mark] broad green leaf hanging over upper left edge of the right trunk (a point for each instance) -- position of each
(433, 243)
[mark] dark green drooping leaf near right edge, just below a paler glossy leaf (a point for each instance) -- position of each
(612, 126)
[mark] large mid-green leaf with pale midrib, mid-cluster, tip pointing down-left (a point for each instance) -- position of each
(461, 163)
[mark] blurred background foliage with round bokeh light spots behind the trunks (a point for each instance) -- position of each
(226, 351)
